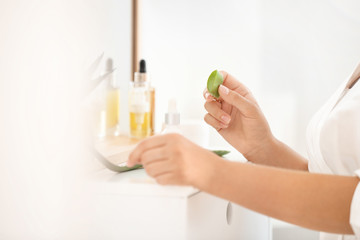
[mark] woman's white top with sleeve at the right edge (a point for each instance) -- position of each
(333, 143)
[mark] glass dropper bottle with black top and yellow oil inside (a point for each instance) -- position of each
(140, 104)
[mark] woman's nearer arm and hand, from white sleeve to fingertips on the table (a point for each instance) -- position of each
(315, 201)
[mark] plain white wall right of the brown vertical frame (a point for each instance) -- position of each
(291, 54)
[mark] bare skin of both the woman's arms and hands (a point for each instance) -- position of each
(278, 184)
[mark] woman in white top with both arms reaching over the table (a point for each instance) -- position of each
(321, 193)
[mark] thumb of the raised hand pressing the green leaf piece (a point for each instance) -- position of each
(235, 99)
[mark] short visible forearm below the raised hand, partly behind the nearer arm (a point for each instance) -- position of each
(277, 154)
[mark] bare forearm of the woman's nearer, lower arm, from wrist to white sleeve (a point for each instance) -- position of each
(315, 201)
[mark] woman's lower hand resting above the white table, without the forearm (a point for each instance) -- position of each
(172, 159)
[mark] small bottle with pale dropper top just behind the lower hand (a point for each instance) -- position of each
(172, 119)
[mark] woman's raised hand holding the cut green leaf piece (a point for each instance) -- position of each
(239, 119)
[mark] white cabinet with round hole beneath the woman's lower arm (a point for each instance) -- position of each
(132, 206)
